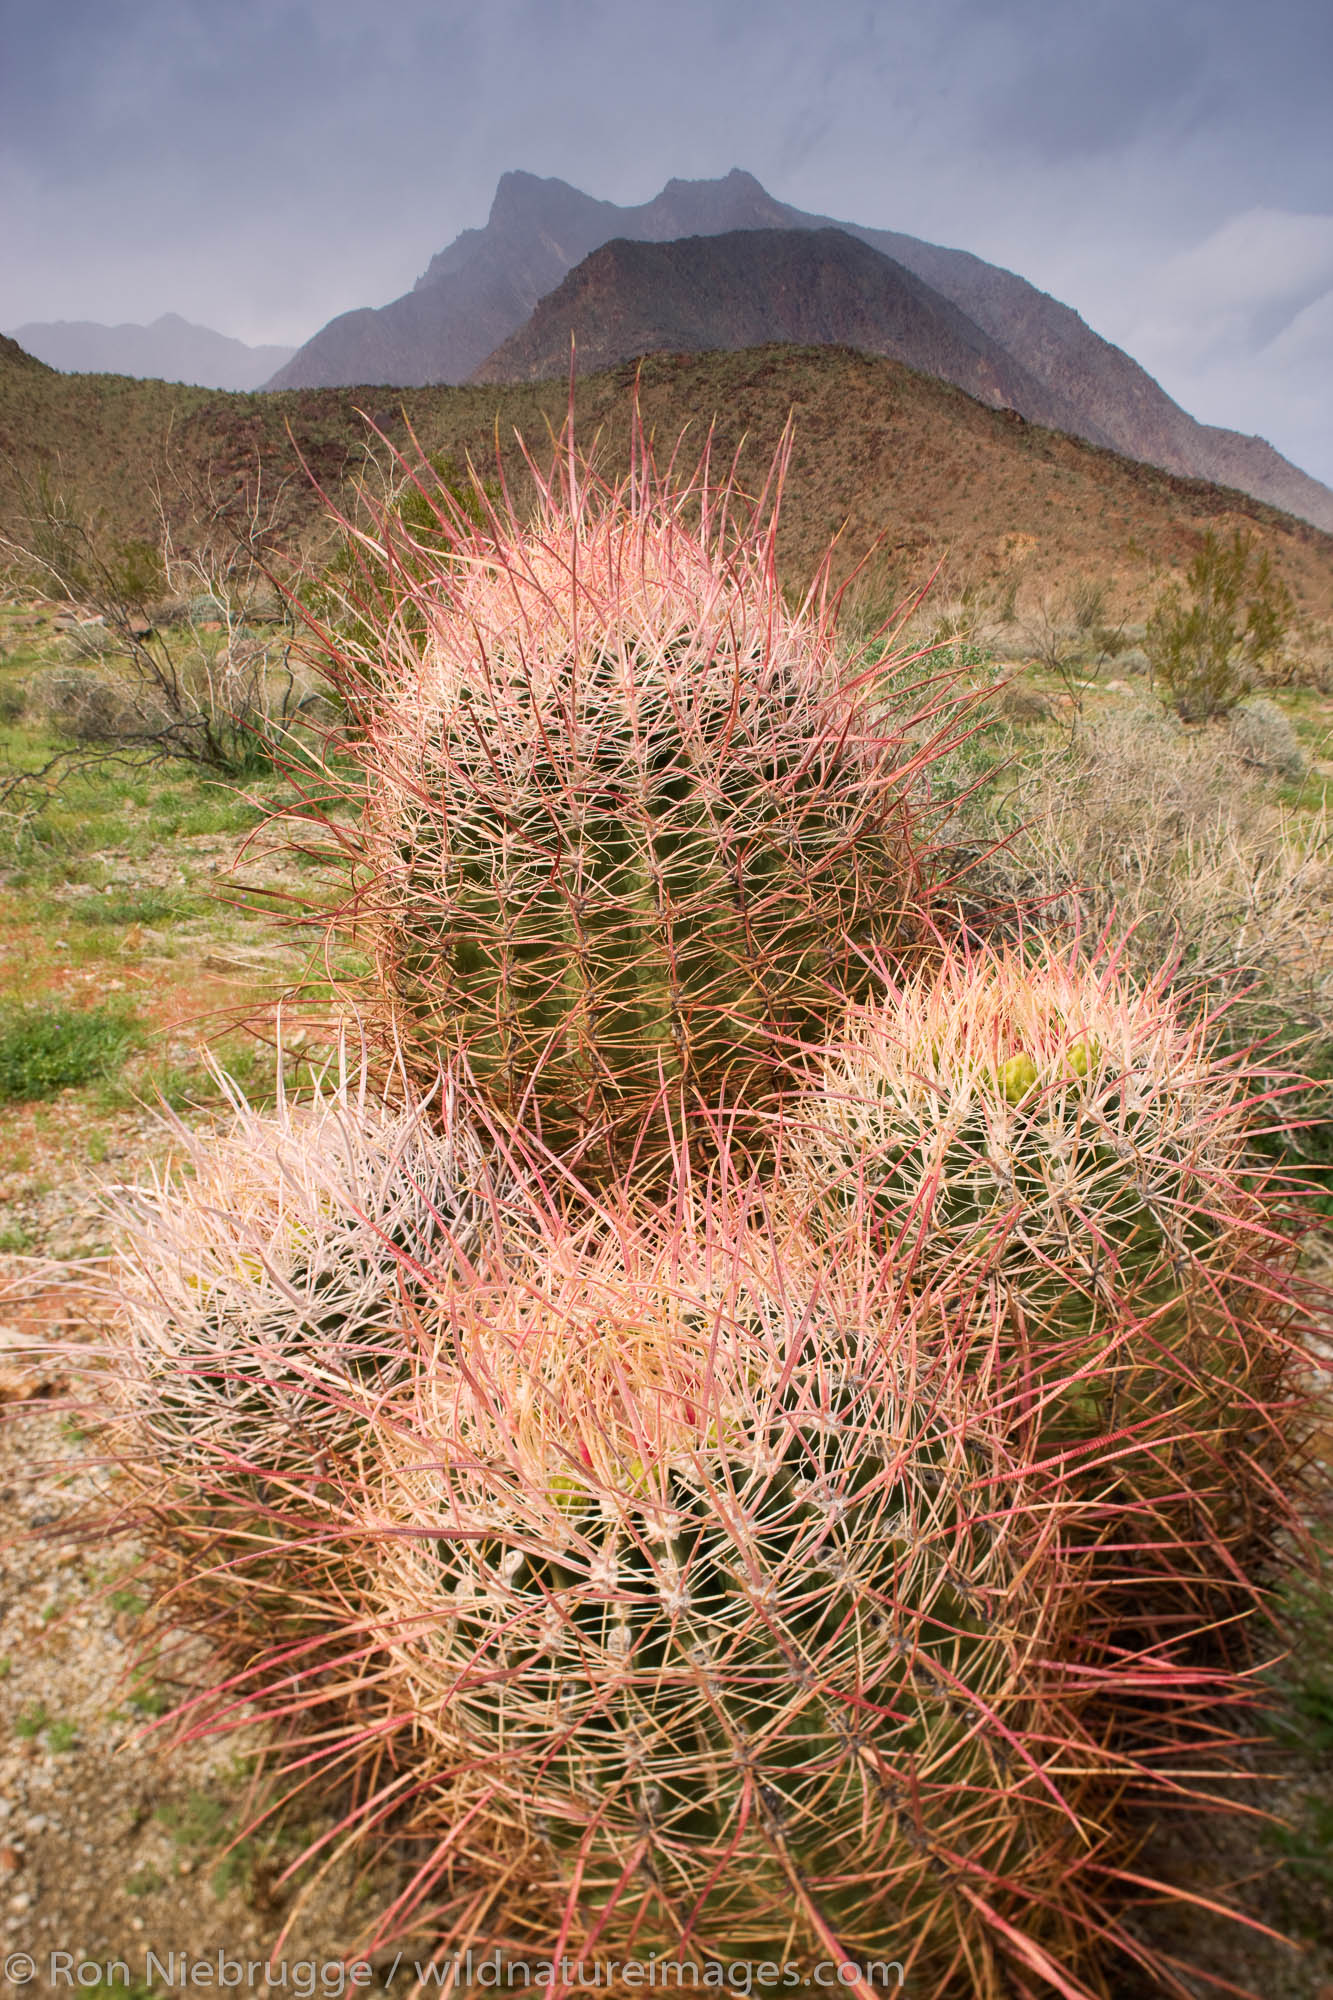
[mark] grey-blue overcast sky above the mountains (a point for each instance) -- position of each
(261, 165)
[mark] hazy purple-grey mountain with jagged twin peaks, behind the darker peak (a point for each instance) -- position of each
(487, 283)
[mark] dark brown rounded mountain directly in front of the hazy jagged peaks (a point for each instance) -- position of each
(756, 287)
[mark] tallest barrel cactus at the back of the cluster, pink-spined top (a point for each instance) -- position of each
(629, 821)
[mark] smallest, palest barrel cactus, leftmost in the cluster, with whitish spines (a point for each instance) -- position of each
(269, 1275)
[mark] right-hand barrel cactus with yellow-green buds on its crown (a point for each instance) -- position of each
(1064, 1147)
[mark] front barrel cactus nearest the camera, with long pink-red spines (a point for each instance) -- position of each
(726, 1625)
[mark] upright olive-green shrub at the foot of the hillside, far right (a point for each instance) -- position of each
(1212, 643)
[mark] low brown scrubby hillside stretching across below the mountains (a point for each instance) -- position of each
(880, 451)
